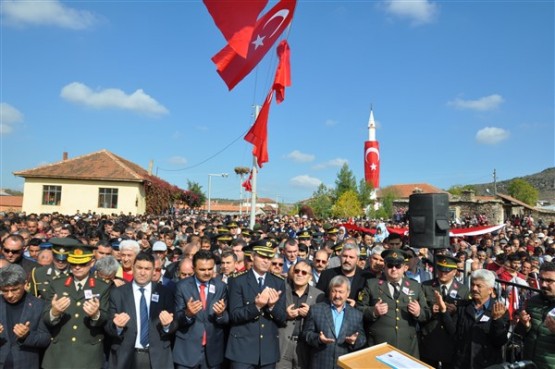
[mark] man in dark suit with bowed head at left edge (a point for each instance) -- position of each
(22, 331)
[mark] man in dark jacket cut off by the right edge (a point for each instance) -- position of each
(537, 322)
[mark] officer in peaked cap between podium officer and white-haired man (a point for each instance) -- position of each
(437, 347)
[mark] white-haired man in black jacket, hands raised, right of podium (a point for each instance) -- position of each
(480, 325)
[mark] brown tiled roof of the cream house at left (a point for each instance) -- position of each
(101, 165)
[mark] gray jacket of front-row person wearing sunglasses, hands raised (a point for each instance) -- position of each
(285, 333)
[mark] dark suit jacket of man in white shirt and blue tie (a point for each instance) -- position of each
(123, 345)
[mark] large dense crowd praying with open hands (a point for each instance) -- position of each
(201, 290)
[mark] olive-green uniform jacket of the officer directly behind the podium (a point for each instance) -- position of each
(398, 326)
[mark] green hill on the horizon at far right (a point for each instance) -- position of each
(543, 181)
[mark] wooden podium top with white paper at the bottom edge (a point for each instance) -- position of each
(380, 356)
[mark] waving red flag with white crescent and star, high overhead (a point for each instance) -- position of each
(232, 67)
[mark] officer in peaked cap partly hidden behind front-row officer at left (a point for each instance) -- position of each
(42, 276)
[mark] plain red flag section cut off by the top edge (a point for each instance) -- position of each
(236, 20)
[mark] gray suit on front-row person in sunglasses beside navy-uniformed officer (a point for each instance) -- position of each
(287, 342)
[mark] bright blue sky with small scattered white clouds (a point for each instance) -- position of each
(458, 88)
